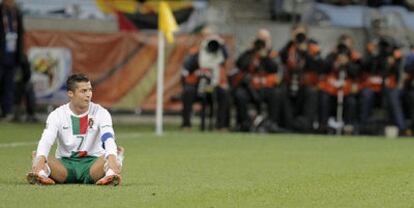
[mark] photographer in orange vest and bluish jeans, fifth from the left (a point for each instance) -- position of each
(380, 77)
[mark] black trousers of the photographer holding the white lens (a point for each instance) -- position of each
(219, 99)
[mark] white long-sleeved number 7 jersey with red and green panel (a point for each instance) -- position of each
(77, 135)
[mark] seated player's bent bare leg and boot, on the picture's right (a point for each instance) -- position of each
(111, 168)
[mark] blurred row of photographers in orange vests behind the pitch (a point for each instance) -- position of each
(296, 89)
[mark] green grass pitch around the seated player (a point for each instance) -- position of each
(181, 169)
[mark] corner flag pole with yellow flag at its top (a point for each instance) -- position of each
(166, 26)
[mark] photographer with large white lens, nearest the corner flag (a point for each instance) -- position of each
(204, 78)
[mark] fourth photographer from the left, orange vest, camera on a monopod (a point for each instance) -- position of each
(339, 85)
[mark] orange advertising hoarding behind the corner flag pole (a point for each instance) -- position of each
(122, 65)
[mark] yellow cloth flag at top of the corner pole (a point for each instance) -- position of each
(166, 21)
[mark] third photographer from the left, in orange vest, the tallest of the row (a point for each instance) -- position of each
(302, 64)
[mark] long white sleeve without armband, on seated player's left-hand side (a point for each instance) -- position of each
(48, 136)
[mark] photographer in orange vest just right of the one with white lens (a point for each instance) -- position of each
(256, 81)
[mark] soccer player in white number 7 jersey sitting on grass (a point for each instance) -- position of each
(86, 149)
